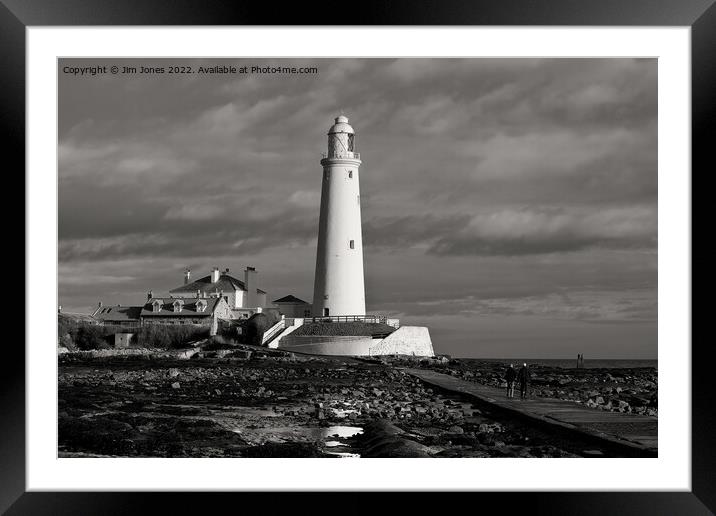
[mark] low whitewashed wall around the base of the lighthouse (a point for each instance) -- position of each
(406, 340)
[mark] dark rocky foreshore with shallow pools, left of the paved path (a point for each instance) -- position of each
(254, 403)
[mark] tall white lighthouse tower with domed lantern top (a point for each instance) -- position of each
(339, 287)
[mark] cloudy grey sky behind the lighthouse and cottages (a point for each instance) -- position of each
(509, 205)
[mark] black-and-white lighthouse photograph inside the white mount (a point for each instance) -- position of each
(348, 258)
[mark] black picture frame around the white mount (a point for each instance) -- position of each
(17, 15)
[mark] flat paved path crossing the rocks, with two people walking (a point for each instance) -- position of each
(632, 430)
